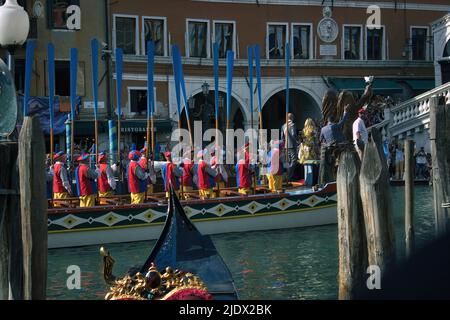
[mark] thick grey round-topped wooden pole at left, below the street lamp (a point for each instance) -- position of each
(33, 206)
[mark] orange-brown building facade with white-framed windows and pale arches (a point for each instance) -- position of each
(331, 48)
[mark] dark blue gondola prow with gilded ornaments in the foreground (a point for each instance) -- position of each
(194, 270)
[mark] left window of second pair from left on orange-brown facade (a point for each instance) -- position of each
(198, 38)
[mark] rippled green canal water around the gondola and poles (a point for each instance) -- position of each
(283, 264)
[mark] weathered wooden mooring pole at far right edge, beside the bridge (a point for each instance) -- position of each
(440, 153)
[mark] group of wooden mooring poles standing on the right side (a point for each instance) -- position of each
(365, 212)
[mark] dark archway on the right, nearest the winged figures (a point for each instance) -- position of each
(302, 105)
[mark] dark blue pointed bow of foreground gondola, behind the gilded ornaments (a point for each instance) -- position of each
(181, 246)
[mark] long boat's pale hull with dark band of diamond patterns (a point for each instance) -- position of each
(299, 207)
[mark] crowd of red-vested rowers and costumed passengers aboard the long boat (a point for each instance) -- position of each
(310, 156)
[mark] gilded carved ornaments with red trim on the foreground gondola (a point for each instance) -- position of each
(171, 285)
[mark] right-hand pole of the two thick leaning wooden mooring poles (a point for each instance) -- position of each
(377, 205)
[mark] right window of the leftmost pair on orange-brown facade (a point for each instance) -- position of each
(154, 29)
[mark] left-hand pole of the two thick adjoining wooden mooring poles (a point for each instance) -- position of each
(352, 236)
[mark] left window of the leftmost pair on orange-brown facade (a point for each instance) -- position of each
(126, 34)
